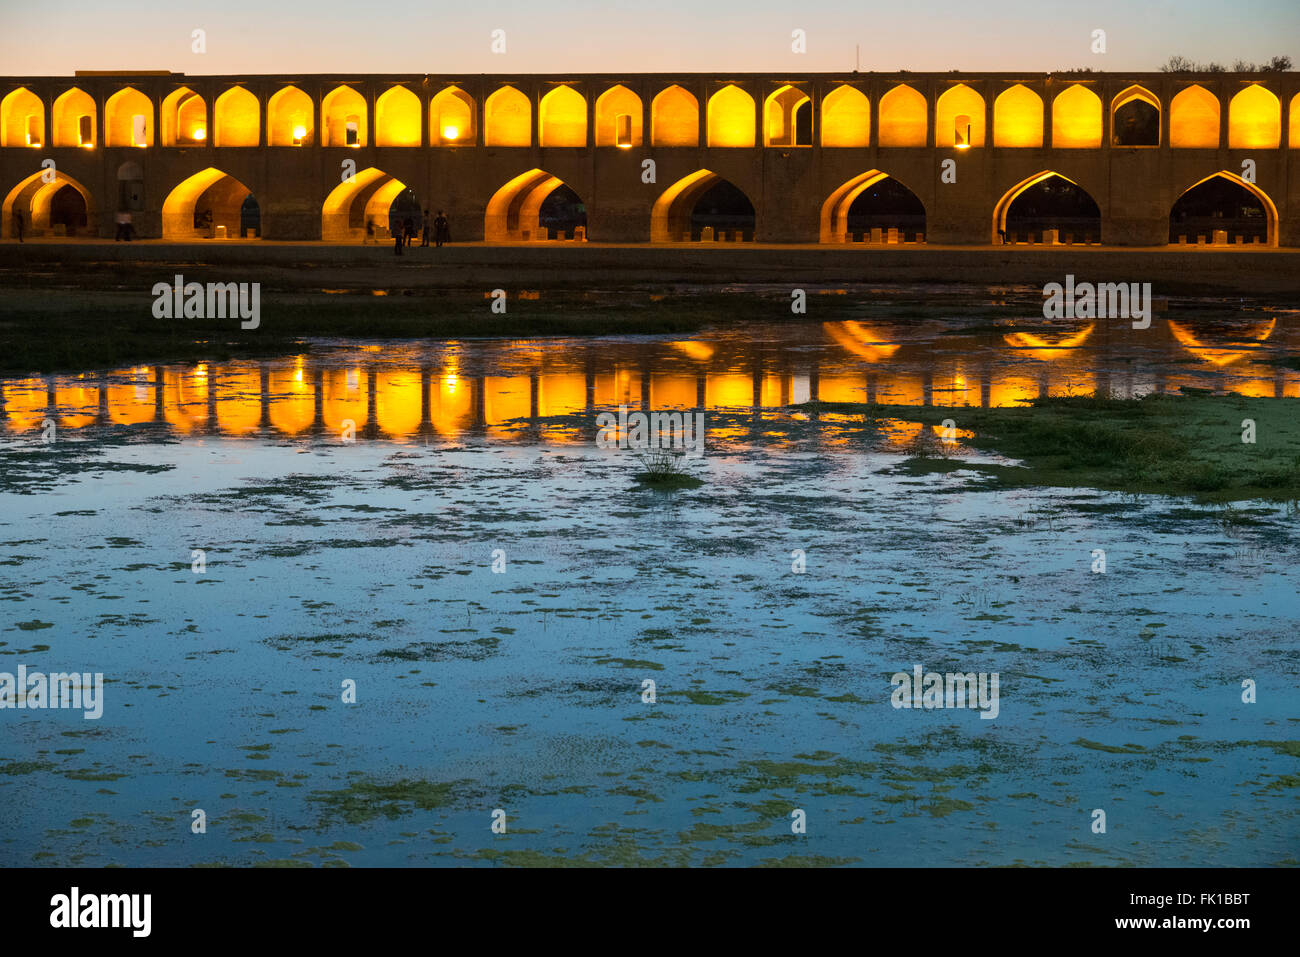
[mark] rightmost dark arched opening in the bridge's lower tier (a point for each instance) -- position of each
(1224, 210)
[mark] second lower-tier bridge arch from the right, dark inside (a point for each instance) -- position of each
(1047, 209)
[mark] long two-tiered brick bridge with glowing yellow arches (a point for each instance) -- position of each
(1141, 159)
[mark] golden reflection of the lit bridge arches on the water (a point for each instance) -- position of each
(404, 392)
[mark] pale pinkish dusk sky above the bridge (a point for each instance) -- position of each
(59, 37)
